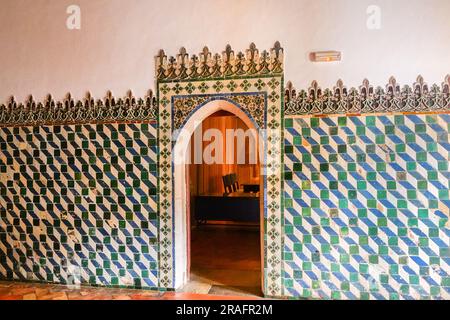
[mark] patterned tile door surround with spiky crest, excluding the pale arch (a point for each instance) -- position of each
(251, 81)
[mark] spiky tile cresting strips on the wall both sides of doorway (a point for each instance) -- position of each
(420, 98)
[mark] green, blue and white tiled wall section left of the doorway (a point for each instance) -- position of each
(79, 199)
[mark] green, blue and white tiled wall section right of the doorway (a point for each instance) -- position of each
(367, 207)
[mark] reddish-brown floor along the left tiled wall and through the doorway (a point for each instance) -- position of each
(225, 266)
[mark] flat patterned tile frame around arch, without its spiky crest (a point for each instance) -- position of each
(251, 95)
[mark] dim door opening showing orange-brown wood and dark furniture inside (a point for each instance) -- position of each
(225, 239)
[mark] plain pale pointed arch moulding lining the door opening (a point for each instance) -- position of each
(181, 154)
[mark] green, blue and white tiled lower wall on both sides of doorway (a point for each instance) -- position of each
(366, 205)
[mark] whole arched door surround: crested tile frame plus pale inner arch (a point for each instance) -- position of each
(187, 91)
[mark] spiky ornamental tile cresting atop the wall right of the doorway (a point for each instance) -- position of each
(366, 99)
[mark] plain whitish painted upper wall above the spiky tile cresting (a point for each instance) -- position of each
(118, 40)
